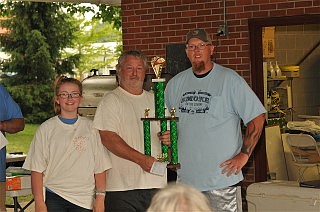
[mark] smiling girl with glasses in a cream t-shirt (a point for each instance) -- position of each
(66, 157)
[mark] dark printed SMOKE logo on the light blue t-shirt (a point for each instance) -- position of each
(195, 102)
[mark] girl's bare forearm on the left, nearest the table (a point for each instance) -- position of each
(37, 190)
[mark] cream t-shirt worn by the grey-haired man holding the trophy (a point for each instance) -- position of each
(121, 112)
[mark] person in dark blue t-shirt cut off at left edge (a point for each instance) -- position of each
(11, 121)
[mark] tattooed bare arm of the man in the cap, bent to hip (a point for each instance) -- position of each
(253, 133)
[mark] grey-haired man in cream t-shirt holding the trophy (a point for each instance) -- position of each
(130, 185)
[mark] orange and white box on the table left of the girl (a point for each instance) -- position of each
(18, 182)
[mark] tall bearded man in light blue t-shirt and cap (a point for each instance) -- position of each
(210, 101)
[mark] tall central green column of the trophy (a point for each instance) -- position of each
(160, 110)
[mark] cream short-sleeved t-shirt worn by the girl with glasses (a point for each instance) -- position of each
(68, 156)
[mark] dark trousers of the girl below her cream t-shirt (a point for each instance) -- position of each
(55, 203)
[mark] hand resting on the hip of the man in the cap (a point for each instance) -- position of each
(235, 164)
